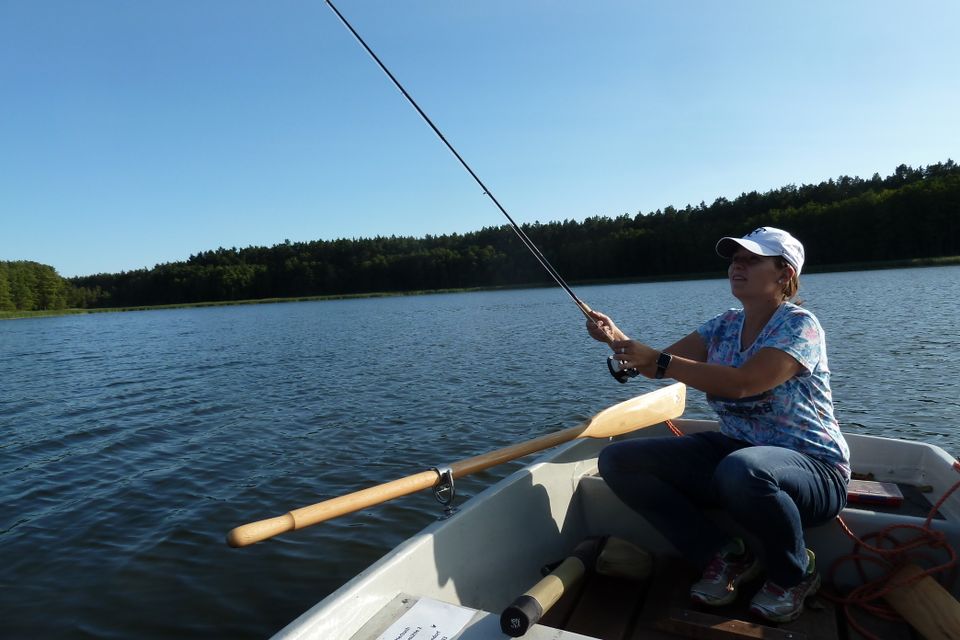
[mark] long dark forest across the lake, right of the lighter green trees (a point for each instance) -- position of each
(912, 213)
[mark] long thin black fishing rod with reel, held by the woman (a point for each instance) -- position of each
(621, 375)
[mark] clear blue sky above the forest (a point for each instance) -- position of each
(136, 133)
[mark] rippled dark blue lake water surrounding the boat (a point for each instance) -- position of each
(130, 443)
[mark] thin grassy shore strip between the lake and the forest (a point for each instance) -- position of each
(835, 268)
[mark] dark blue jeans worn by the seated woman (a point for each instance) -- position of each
(772, 492)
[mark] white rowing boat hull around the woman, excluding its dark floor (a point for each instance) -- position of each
(502, 542)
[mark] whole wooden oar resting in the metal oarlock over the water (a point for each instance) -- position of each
(636, 413)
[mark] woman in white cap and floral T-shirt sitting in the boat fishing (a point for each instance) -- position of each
(779, 462)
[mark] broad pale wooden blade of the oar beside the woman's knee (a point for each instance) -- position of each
(643, 411)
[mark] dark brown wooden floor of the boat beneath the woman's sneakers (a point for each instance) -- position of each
(660, 609)
